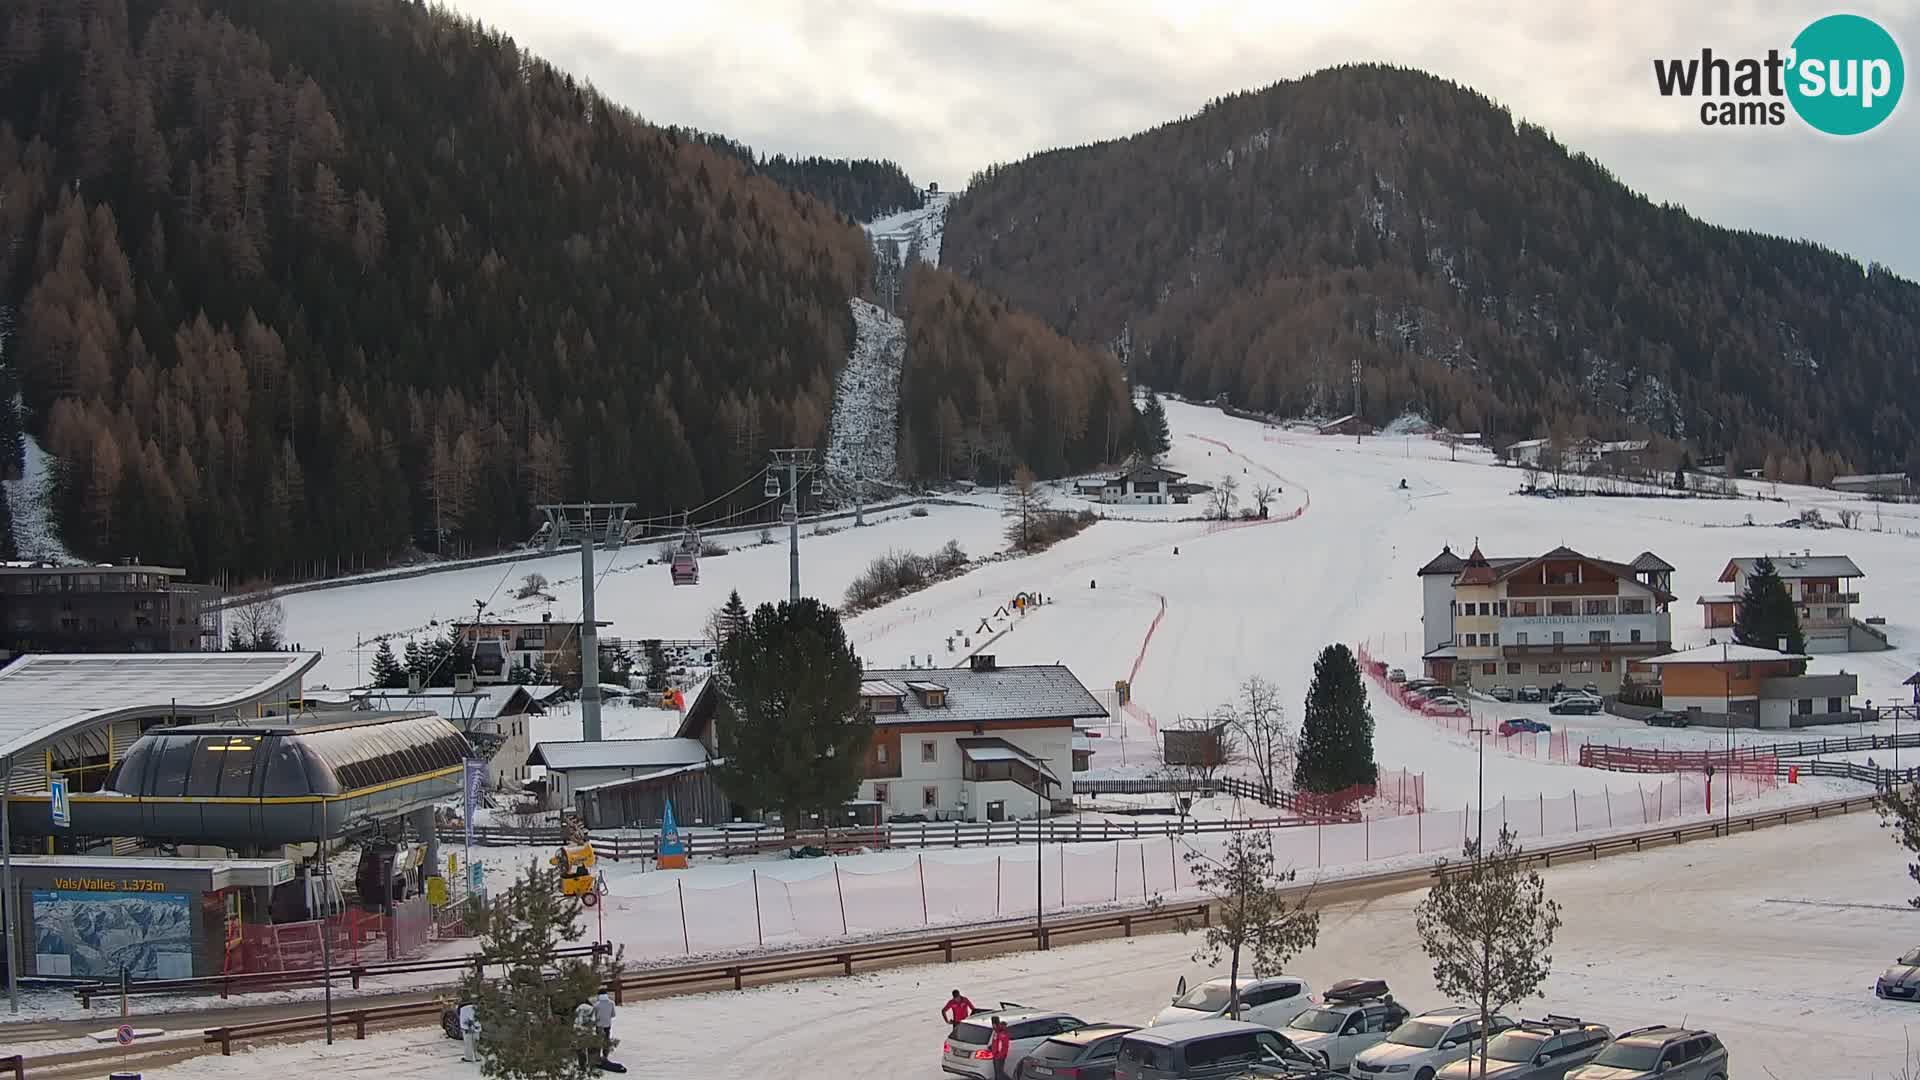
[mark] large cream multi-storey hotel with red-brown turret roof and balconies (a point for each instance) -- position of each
(1543, 620)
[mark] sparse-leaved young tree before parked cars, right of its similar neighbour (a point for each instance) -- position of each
(1489, 929)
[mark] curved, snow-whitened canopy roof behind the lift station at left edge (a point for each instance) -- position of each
(47, 697)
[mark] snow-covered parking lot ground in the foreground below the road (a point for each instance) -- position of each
(1746, 937)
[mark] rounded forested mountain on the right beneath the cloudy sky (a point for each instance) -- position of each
(1474, 268)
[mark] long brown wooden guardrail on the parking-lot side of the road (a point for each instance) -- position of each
(796, 966)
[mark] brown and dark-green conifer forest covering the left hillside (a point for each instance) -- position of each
(302, 283)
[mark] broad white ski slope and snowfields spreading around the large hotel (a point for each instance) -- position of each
(1337, 564)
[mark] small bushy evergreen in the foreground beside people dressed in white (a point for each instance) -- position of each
(527, 1029)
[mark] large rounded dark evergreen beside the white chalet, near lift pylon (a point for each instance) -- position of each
(790, 722)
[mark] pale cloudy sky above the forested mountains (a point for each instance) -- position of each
(948, 89)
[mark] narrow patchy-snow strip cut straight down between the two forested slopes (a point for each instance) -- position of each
(867, 399)
